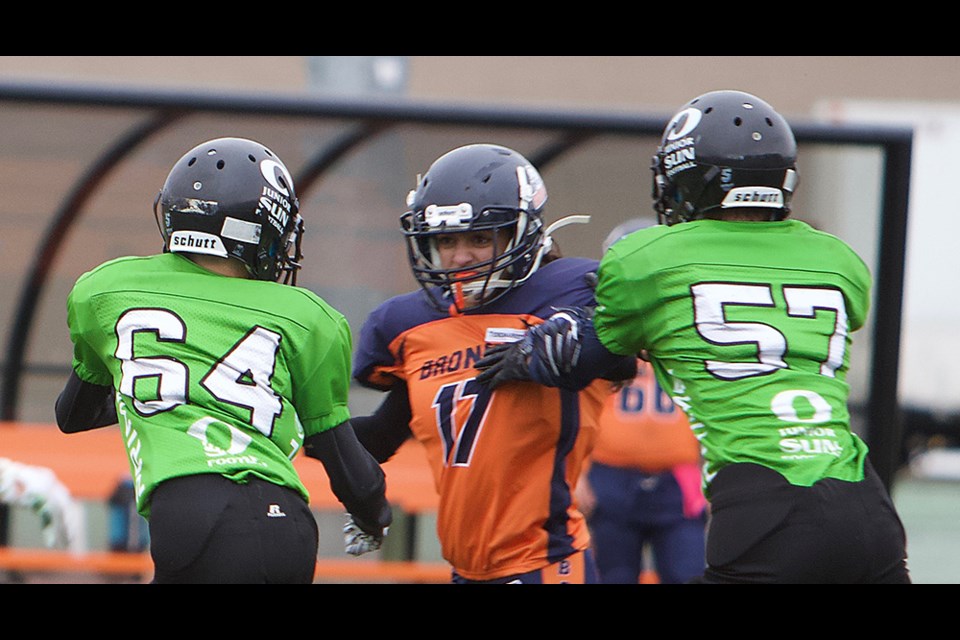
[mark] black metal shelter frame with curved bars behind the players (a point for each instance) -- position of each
(373, 117)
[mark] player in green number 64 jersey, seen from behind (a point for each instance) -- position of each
(219, 376)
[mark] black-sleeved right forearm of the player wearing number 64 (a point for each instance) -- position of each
(356, 479)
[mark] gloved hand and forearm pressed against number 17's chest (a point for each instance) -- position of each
(562, 352)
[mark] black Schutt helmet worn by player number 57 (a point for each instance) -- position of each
(724, 149)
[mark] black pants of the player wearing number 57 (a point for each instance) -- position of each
(763, 529)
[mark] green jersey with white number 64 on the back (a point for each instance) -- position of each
(214, 374)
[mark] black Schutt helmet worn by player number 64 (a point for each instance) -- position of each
(233, 198)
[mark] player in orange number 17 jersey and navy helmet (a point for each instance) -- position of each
(505, 464)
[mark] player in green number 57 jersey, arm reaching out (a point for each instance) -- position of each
(746, 317)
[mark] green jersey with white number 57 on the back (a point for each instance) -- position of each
(748, 326)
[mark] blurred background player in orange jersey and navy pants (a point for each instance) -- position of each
(641, 490)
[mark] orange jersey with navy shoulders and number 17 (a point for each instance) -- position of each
(505, 462)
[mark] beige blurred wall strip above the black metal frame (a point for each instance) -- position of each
(796, 85)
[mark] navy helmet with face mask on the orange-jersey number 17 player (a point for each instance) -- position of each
(477, 187)
